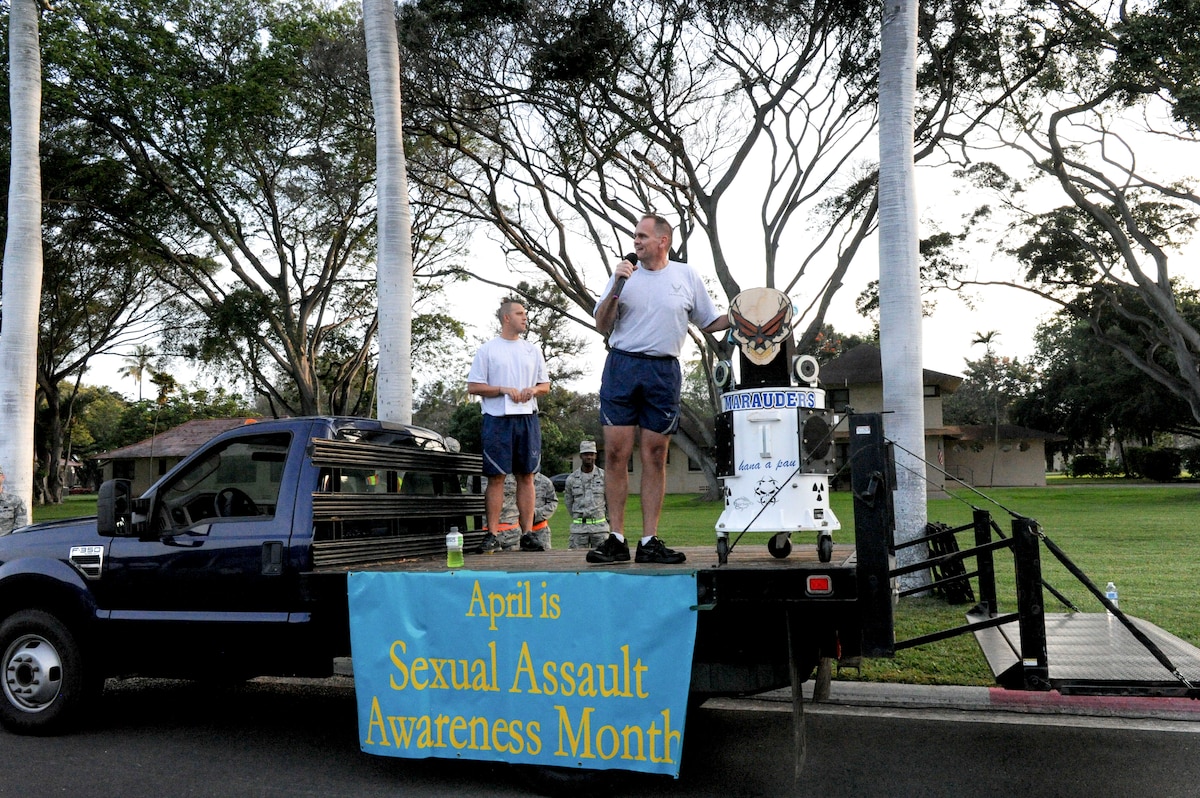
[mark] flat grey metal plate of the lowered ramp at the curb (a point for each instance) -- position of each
(1095, 655)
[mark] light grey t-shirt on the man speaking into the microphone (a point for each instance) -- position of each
(656, 308)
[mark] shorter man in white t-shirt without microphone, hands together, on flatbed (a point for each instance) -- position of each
(509, 374)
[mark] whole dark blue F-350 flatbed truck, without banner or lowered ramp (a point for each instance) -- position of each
(235, 566)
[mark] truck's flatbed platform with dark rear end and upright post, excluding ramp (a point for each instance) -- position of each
(765, 620)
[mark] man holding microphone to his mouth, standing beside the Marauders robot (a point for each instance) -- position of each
(645, 311)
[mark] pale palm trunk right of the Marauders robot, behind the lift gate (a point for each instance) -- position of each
(901, 343)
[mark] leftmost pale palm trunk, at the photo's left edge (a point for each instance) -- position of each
(22, 253)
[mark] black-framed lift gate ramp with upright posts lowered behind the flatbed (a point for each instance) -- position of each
(1076, 653)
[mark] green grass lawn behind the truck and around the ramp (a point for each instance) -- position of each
(1144, 538)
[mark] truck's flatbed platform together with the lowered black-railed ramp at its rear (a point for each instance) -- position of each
(767, 622)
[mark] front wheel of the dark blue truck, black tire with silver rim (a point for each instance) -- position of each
(45, 687)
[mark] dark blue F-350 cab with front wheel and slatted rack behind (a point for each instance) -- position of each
(232, 566)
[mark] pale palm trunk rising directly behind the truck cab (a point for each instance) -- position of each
(394, 261)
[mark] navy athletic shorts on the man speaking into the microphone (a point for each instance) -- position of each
(640, 391)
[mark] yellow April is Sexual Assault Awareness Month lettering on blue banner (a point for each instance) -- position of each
(599, 709)
